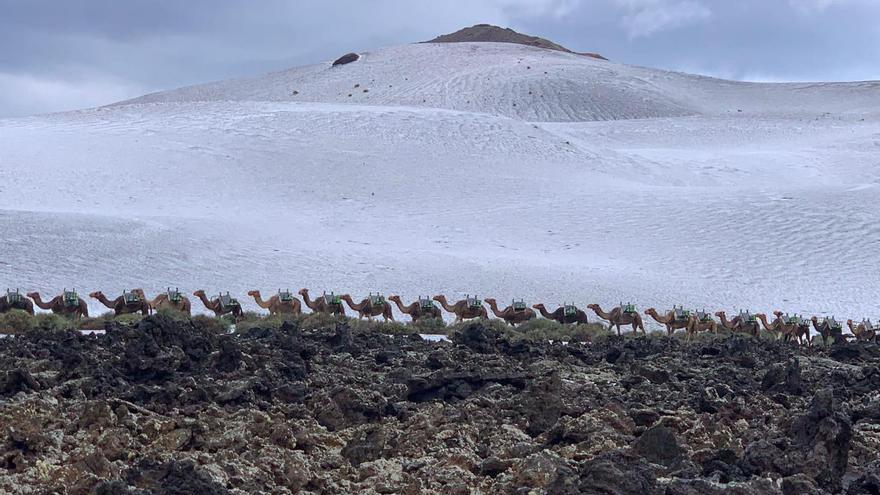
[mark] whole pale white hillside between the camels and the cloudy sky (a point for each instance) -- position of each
(493, 169)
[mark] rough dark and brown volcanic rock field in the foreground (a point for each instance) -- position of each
(169, 408)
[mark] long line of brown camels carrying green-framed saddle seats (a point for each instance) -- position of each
(793, 328)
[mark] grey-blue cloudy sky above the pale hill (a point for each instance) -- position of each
(58, 55)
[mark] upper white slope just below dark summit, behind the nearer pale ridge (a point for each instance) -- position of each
(527, 83)
